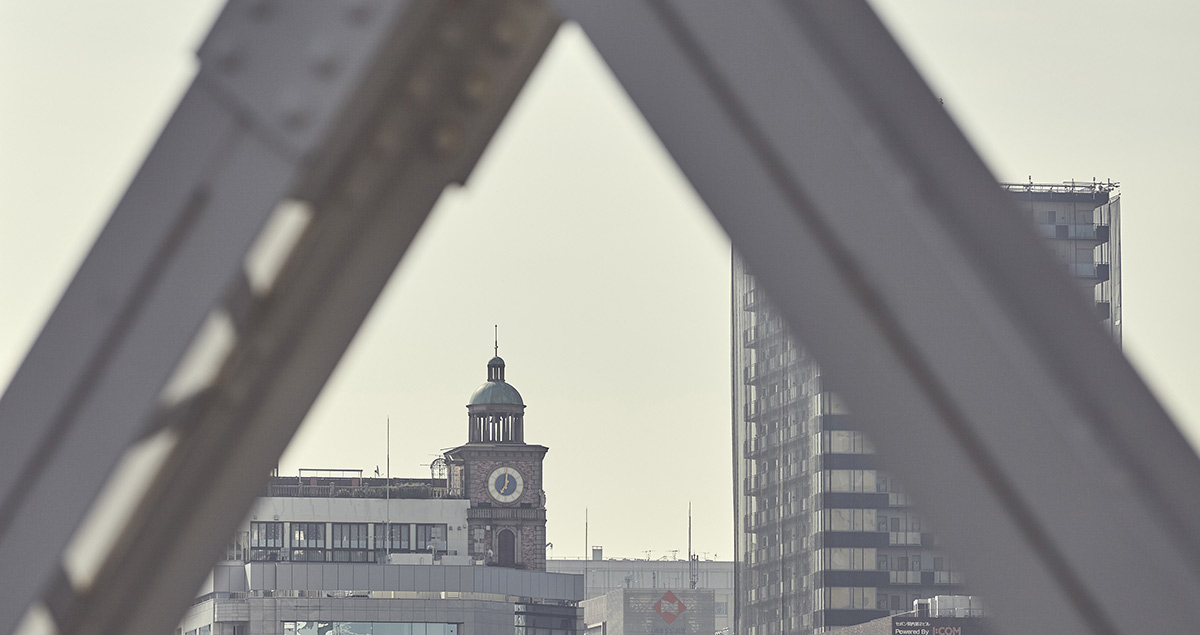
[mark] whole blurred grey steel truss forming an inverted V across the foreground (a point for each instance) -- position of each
(1045, 460)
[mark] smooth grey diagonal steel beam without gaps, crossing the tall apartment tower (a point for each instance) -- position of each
(963, 349)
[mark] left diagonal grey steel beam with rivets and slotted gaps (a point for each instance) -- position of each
(367, 112)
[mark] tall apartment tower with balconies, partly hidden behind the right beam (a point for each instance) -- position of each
(823, 537)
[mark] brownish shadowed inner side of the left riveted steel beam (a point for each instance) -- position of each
(453, 73)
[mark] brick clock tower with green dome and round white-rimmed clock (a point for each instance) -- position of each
(501, 475)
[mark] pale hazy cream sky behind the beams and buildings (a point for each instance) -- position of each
(579, 237)
